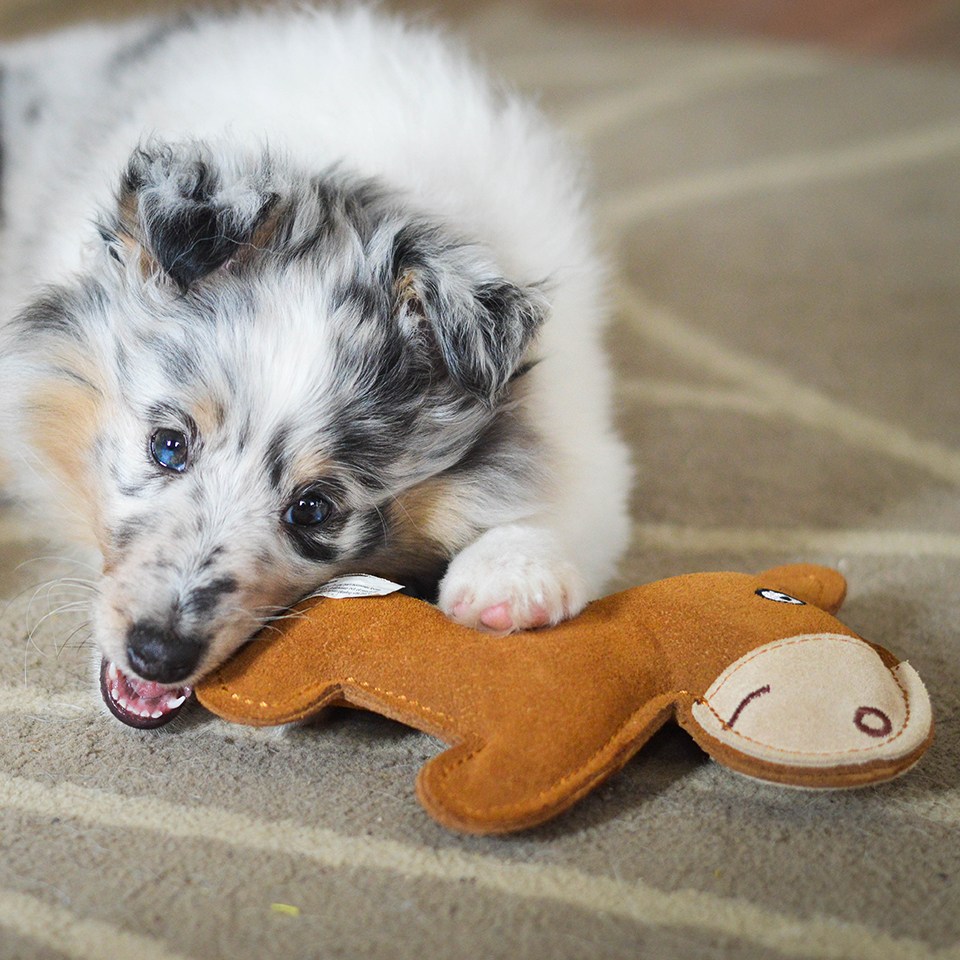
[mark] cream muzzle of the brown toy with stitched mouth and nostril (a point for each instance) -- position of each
(823, 703)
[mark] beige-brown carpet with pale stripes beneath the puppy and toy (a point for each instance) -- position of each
(785, 227)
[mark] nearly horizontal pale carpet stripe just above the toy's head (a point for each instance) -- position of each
(870, 543)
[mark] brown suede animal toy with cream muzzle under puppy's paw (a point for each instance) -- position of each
(755, 668)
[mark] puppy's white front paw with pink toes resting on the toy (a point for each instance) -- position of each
(512, 578)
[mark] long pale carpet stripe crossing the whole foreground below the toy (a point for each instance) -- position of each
(706, 913)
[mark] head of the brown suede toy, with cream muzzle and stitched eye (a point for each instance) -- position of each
(777, 688)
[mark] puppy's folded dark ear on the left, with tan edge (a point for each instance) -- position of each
(182, 216)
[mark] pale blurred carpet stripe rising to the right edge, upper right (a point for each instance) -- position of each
(627, 209)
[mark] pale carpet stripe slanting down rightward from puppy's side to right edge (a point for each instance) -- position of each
(783, 393)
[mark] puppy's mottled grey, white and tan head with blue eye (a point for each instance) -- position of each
(264, 379)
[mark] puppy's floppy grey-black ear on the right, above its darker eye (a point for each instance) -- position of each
(448, 296)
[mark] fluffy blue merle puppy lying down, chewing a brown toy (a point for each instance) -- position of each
(290, 294)
